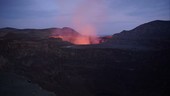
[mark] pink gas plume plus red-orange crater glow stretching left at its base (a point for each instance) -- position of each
(84, 18)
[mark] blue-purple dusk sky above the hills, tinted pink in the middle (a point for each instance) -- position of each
(104, 16)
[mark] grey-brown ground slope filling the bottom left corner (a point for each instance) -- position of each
(15, 85)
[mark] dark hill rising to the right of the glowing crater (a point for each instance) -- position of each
(151, 35)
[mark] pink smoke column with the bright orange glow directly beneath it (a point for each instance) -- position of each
(83, 19)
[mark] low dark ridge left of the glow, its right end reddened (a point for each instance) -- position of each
(34, 34)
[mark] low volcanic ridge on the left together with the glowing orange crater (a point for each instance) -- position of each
(65, 34)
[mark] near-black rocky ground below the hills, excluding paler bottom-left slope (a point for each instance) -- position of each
(90, 72)
